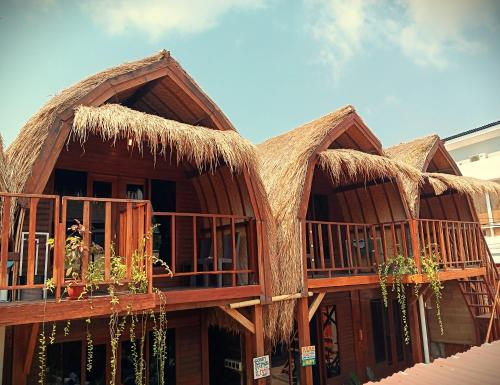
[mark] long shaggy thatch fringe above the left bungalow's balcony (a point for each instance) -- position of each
(202, 147)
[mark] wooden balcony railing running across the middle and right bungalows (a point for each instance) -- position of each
(339, 248)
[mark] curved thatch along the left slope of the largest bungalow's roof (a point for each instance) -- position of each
(27, 146)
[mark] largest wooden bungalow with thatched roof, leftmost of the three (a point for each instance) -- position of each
(135, 153)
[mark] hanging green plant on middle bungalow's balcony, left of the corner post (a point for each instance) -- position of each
(398, 268)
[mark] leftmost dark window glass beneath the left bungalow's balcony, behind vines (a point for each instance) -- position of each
(63, 363)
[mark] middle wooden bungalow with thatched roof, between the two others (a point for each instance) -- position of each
(343, 213)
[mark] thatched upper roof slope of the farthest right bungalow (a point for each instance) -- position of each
(415, 152)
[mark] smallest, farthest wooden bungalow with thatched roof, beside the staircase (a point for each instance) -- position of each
(449, 227)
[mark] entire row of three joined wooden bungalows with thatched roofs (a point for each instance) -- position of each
(269, 250)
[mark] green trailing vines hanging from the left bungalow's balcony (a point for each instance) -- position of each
(139, 283)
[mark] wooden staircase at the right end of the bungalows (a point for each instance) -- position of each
(480, 294)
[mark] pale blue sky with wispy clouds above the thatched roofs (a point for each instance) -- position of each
(410, 67)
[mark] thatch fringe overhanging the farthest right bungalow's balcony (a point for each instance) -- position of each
(461, 184)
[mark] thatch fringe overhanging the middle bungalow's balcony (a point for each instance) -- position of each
(345, 165)
